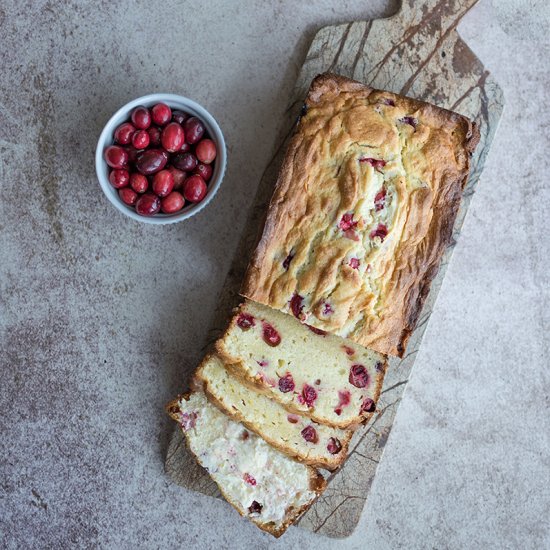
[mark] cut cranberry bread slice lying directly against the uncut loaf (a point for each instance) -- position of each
(329, 379)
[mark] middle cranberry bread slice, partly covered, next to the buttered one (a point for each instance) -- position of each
(293, 434)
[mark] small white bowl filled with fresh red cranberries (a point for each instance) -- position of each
(161, 158)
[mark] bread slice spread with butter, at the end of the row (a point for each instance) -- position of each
(264, 485)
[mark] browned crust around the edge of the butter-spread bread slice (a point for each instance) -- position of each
(317, 483)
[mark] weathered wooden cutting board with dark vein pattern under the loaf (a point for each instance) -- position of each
(418, 53)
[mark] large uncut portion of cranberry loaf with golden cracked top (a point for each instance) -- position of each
(363, 210)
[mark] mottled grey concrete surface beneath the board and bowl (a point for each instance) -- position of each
(102, 318)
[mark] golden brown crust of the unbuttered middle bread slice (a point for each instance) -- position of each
(199, 382)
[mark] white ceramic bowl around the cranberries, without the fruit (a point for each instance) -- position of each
(176, 102)
